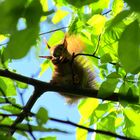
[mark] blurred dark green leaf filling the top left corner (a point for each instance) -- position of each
(11, 11)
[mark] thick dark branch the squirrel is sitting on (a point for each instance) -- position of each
(43, 87)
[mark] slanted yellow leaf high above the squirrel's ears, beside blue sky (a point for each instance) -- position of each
(59, 15)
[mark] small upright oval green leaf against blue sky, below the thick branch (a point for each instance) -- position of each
(42, 116)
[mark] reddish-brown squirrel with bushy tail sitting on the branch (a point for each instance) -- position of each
(70, 70)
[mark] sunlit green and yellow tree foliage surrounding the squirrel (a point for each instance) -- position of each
(111, 31)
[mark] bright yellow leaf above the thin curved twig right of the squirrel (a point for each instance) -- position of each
(98, 22)
